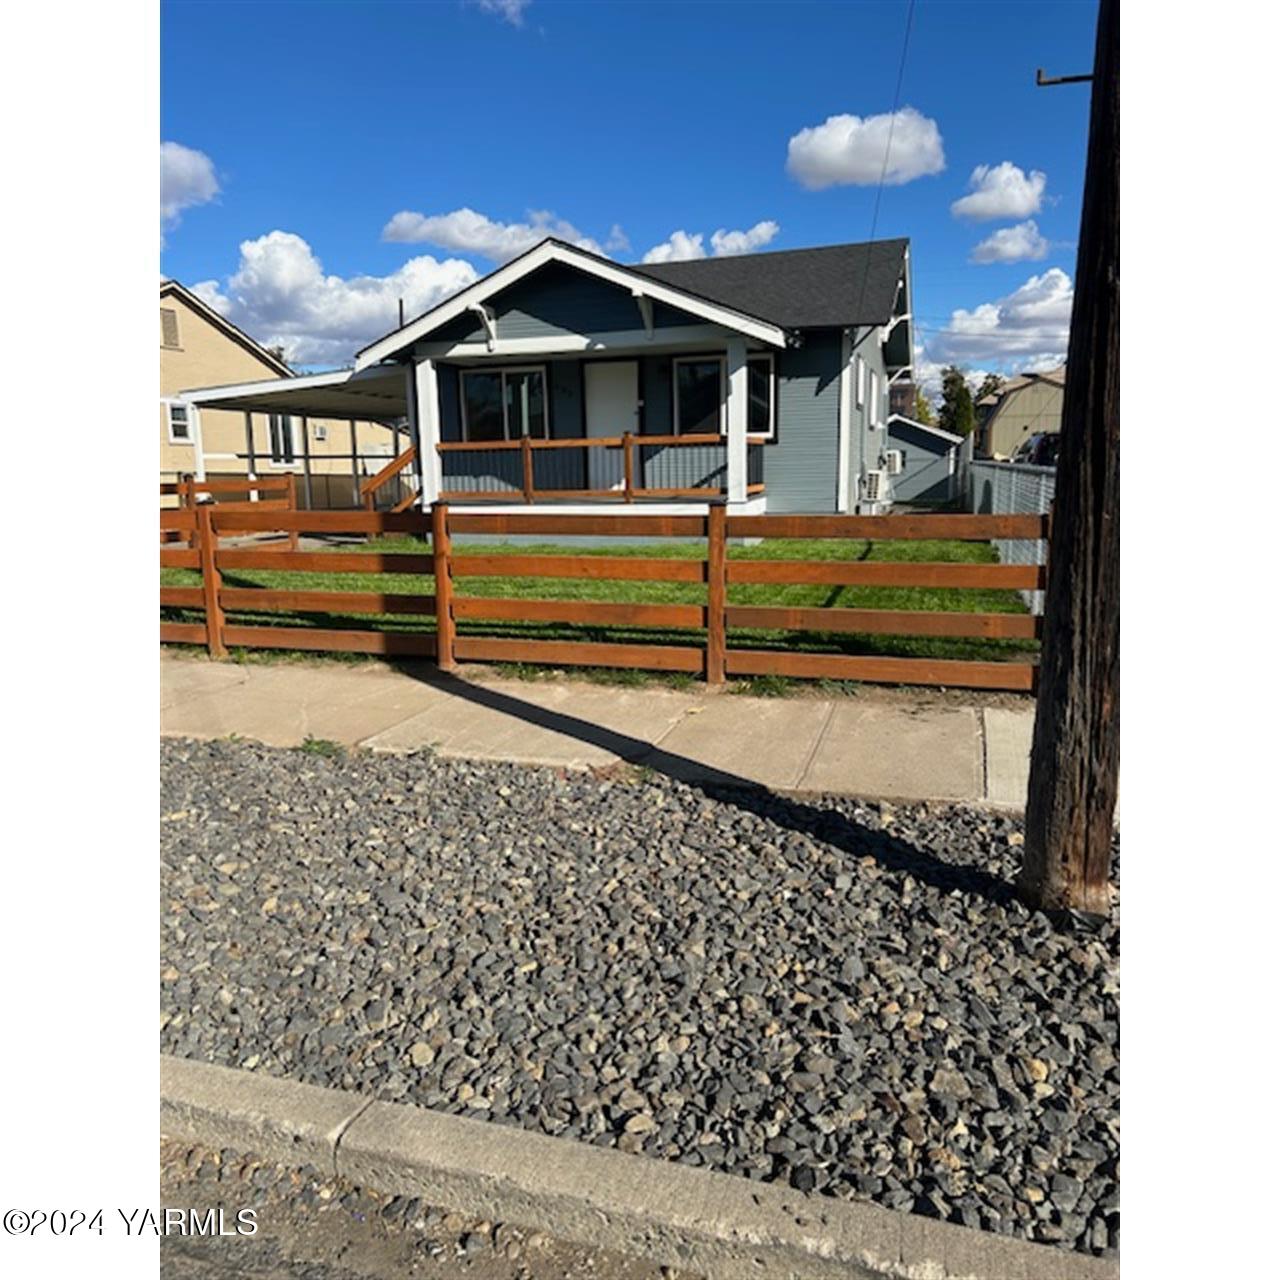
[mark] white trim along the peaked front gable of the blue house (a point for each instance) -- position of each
(556, 252)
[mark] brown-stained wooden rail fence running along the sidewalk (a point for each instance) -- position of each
(702, 643)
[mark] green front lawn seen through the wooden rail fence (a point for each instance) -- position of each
(661, 593)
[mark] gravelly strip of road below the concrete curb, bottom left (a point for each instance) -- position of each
(326, 1229)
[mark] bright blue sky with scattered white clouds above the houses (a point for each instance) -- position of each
(484, 124)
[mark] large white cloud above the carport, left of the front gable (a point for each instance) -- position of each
(282, 298)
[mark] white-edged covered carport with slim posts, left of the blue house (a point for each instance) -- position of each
(377, 395)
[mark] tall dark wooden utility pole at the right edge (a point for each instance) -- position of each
(1076, 751)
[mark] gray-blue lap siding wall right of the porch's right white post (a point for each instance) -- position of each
(801, 468)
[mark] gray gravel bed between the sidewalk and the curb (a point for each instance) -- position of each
(839, 995)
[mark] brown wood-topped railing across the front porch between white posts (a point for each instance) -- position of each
(627, 468)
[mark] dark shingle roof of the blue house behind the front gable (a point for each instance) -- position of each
(799, 289)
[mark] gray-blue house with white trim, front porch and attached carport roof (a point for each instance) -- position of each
(572, 380)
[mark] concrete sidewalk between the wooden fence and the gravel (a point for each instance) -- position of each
(874, 749)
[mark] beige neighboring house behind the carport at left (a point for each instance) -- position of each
(326, 456)
